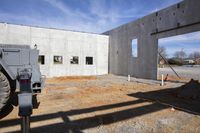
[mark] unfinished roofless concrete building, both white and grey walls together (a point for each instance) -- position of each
(65, 53)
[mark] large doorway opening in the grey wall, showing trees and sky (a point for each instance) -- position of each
(179, 57)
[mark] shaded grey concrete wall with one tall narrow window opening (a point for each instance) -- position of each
(178, 19)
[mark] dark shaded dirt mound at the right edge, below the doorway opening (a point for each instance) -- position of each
(191, 90)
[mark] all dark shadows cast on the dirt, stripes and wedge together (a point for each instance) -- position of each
(168, 96)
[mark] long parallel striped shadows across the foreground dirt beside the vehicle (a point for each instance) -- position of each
(89, 122)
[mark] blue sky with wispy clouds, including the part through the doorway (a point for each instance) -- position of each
(86, 15)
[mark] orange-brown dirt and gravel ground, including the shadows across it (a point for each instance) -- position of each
(108, 104)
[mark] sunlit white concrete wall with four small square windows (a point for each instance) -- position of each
(52, 42)
